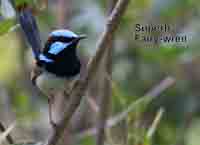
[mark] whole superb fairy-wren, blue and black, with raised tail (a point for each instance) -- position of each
(57, 63)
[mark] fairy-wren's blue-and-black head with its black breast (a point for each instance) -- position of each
(60, 51)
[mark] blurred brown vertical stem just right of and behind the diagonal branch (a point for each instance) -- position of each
(106, 96)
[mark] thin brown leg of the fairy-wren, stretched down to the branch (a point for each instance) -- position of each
(50, 102)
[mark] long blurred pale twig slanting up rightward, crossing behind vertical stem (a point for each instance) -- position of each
(147, 98)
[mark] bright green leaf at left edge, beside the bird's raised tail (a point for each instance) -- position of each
(7, 25)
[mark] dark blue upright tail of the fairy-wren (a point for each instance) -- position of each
(29, 26)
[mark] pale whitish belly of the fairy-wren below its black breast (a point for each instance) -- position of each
(49, 84)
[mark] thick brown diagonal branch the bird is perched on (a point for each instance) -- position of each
(80, 86)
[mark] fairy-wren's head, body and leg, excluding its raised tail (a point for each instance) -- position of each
(57, 64)
